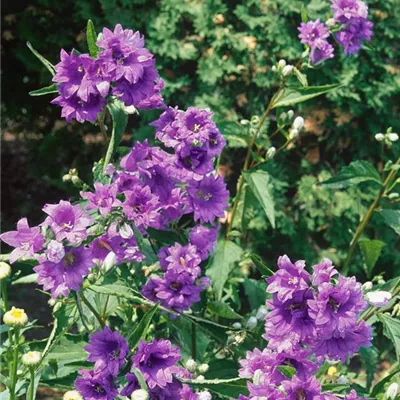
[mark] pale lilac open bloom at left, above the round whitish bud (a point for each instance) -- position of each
(67, 221)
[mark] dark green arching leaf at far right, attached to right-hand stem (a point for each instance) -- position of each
(357, 172)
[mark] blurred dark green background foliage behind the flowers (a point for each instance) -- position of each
(216, 54)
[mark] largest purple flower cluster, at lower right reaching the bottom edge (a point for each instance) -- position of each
(312, 317)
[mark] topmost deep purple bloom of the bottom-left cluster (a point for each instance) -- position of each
(108, 350)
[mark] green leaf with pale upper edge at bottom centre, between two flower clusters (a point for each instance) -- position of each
(226, 388)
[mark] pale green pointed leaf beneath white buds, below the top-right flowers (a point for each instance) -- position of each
(294, 95)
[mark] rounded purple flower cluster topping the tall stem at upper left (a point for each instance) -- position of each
(124, 69)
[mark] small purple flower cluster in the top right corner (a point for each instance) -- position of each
(354, 28)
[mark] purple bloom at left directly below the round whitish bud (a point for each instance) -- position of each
(59, 278)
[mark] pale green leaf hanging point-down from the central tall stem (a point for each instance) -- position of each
(259, 184)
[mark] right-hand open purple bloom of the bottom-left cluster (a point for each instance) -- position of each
(156, 361)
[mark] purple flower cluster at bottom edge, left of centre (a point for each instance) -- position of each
(156, 361)
